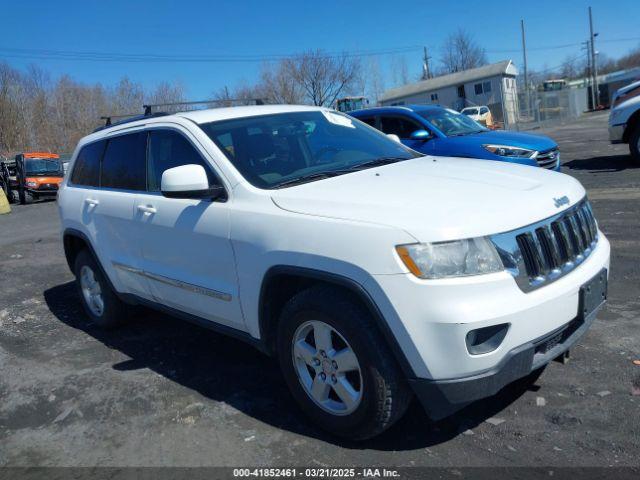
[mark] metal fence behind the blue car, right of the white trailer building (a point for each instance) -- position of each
(539, 109)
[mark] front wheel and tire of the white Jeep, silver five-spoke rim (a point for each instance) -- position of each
(378, 386)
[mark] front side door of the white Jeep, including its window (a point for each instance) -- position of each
(187, 254)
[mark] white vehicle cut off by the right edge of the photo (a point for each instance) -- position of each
(624, 119)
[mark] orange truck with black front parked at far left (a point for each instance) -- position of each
(35, 175)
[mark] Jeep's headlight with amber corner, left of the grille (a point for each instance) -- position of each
(459, 258)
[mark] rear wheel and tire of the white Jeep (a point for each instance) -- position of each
(100, 302)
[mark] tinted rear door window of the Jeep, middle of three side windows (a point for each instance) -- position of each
(124, 162)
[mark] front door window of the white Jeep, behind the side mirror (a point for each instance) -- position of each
(169, 149)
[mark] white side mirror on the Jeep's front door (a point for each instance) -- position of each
(189, 181)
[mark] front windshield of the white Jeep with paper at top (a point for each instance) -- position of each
(276, 150)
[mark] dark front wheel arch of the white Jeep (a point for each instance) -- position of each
(281, 282)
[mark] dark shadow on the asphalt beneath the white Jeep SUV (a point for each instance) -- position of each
(227, 370)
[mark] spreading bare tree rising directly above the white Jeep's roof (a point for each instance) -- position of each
(323, 78)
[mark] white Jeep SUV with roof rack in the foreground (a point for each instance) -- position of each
(374, 274)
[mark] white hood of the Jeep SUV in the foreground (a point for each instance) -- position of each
(437, 199)
